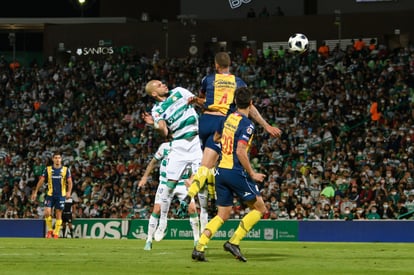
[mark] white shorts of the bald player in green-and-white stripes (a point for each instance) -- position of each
(183, 153)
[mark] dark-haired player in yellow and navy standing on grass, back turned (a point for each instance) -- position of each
(235, 175)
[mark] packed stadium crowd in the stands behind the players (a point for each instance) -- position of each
(346, 151)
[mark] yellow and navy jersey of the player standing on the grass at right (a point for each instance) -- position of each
(237, 128)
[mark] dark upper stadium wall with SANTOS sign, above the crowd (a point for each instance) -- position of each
(173, 39)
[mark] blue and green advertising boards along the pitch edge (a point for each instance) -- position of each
(265, 230)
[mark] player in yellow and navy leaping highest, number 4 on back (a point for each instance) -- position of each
(217, 100)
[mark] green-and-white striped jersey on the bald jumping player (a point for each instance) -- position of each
(181, 118)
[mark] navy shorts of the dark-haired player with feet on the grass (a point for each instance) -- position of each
(231, 181)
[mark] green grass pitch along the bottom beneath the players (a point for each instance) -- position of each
(97, 256)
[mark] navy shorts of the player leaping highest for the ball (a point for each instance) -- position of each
(208, 125)
